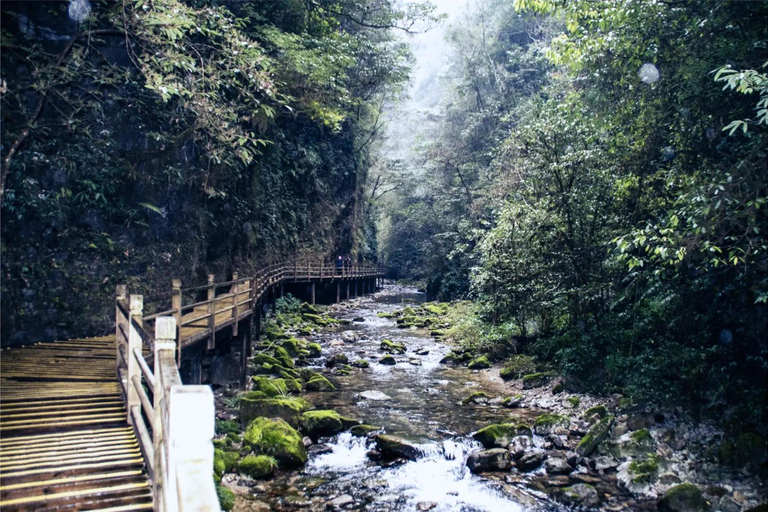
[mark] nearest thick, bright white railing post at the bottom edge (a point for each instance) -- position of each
(191, 429)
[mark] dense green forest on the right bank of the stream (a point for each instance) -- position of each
(595, 177)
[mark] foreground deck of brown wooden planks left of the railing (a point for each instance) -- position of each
(64, 439)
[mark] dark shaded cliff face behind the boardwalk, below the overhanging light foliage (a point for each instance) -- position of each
(114, 183)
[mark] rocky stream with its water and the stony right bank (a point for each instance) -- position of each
(448, 438)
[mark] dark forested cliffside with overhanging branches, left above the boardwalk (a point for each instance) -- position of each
(145, 140)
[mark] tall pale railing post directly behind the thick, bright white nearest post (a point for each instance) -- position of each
(165, 349)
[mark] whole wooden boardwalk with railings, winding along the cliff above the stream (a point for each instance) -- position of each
(67, 439)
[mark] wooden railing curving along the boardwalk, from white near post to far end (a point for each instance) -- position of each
(174, 423)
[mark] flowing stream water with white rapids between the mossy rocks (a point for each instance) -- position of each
(420, 402)
